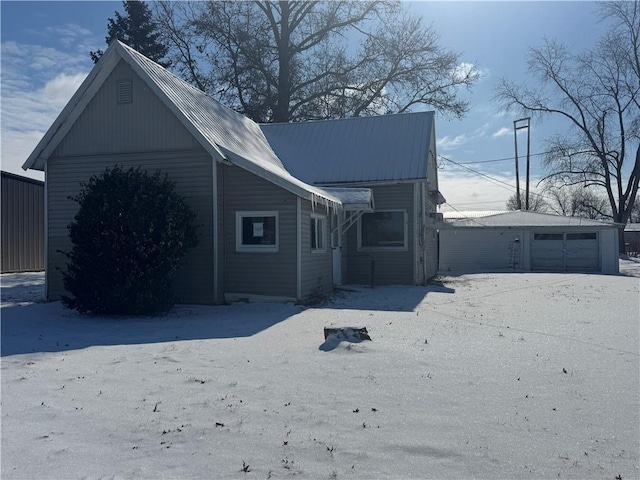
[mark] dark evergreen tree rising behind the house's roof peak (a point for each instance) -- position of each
(138, 30)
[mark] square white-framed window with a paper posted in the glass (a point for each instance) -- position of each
(257, 231)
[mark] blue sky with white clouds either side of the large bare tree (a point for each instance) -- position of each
(45, 56)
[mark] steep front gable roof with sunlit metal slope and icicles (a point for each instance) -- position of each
(222, 132)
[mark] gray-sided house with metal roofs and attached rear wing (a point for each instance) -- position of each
(281, 217)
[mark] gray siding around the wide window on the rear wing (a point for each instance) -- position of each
(393, 267)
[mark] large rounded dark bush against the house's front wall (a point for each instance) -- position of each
(129, 237)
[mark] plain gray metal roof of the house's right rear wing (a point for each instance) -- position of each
(356, 150)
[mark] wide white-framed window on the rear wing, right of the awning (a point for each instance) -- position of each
(384, 230)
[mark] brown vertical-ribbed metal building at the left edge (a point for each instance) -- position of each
(22, 224)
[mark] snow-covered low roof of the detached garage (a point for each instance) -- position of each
(528, 219)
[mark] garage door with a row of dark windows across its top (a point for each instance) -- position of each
(565, 252)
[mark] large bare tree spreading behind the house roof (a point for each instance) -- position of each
(280, 61)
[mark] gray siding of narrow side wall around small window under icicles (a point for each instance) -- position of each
(317, 267)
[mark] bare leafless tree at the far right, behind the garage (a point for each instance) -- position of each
(598, 94)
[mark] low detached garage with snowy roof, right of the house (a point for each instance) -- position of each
(528, 241)
